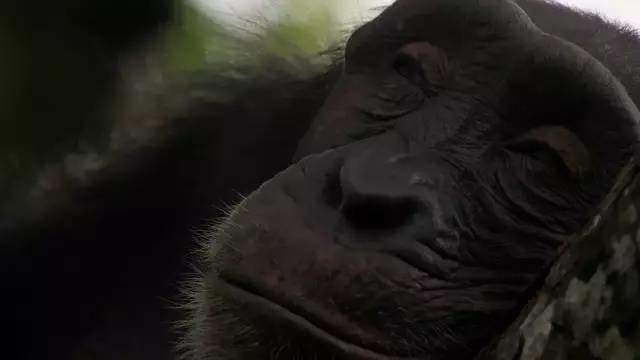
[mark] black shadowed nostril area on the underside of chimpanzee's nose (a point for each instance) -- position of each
(378, 212)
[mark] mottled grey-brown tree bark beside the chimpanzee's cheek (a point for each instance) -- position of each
(589, 305)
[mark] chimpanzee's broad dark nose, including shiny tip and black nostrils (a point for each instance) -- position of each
(377, 188)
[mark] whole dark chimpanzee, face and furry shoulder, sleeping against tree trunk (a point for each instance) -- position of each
(431, 179)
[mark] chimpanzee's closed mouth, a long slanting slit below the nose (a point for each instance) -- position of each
(282, 317)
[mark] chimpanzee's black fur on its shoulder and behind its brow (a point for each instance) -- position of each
(94, 275)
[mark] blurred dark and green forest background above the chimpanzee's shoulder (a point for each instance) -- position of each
(63, 63)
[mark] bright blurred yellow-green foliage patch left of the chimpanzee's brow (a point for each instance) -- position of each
(298, 33)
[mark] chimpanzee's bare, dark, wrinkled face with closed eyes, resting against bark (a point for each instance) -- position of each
(458, 149)
